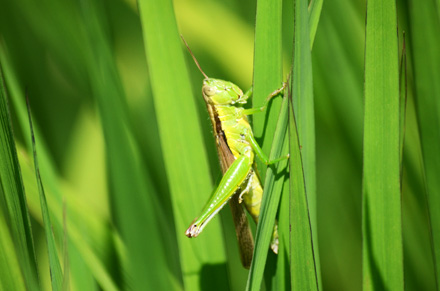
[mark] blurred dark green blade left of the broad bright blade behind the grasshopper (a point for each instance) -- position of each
(132, 191)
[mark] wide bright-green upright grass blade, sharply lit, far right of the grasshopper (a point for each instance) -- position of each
(382, 227)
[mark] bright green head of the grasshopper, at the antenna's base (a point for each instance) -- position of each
(219, 92)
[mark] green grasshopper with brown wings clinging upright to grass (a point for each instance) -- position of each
(237, 148)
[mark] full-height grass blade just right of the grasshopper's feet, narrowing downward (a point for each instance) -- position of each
(303, 106)
